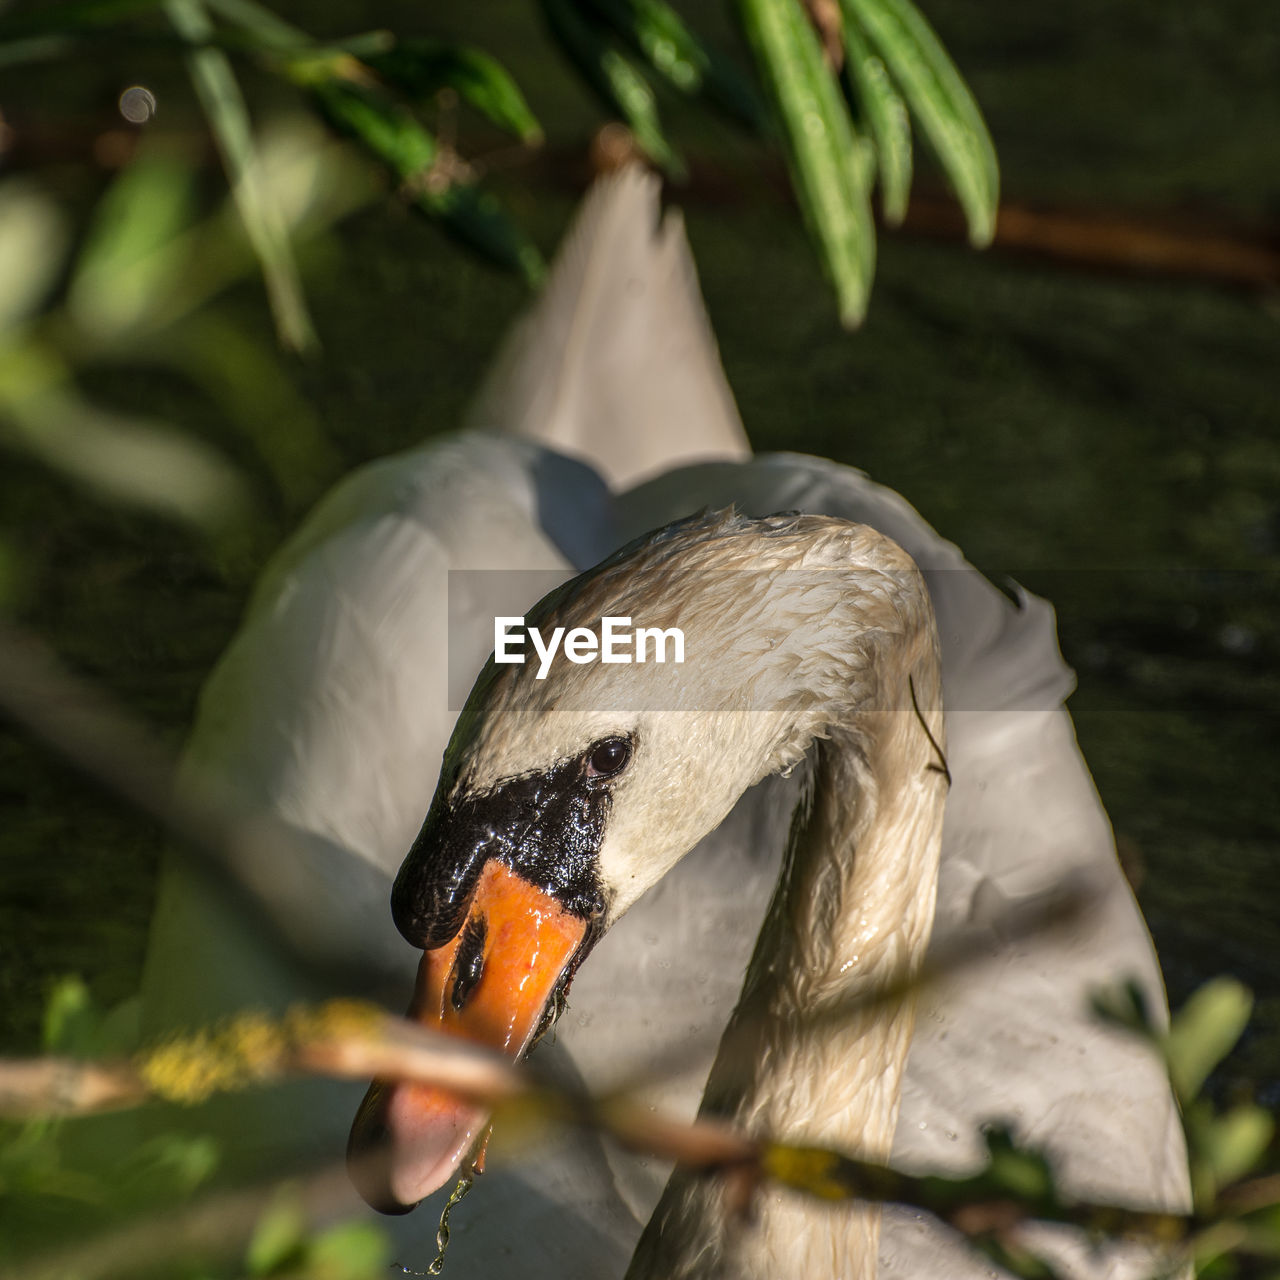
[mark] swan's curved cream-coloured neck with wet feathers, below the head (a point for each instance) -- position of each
(817, 1046)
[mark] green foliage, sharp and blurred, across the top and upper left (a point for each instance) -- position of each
(132, 286)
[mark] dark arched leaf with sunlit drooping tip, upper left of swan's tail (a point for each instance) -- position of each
(424, 67)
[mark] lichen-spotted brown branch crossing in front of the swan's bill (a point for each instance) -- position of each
(349, 1040)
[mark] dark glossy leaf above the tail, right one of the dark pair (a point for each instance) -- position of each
(657, 33)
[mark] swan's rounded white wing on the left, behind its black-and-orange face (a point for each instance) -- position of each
(332, 707)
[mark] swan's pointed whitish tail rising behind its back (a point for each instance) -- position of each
(616, 363)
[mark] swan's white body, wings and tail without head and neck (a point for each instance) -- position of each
(331, 710)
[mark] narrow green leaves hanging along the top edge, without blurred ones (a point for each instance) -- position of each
(374, 86)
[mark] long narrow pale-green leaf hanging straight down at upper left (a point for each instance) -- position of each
(228, 120)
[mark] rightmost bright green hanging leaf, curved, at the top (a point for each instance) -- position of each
(943, 103)
